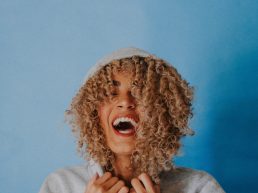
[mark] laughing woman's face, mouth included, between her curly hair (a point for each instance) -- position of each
(118, 117)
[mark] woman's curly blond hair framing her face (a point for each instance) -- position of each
(158, 89)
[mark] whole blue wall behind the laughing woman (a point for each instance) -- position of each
(46, 47)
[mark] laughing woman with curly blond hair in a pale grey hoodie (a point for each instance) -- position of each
(129, 117)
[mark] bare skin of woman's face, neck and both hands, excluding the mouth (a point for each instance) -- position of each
(122, 104)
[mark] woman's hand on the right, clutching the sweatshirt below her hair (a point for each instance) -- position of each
(146, 186)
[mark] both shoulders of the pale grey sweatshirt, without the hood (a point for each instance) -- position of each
(181, 180)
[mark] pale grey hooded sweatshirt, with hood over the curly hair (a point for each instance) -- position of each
(74, 179)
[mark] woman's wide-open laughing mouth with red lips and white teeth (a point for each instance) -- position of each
(124, 126)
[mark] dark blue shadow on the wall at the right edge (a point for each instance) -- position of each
(234, 113)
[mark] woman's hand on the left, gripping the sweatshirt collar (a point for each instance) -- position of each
(106, 184)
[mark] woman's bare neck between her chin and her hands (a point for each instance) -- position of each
(123, 168)
